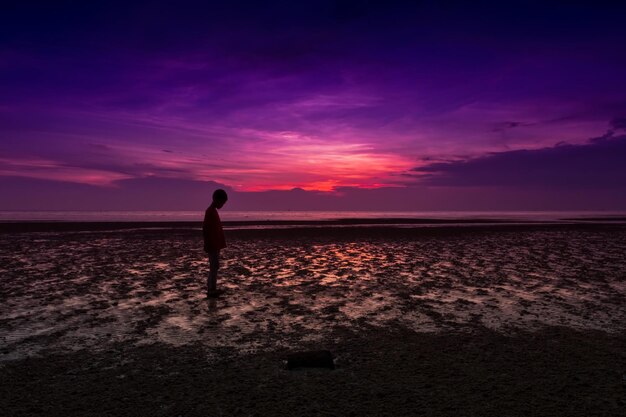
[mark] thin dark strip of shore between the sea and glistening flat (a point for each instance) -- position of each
(75, 226)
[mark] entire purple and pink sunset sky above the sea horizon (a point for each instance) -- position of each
(419, 105)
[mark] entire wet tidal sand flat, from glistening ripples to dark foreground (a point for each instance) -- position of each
(445, 320)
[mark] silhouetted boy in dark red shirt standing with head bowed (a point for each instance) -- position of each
(214, 239)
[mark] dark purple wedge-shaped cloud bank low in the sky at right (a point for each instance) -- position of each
(597, 163)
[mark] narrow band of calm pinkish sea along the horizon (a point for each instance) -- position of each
(147, 216)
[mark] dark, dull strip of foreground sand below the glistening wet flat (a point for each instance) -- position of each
(554, 372)
